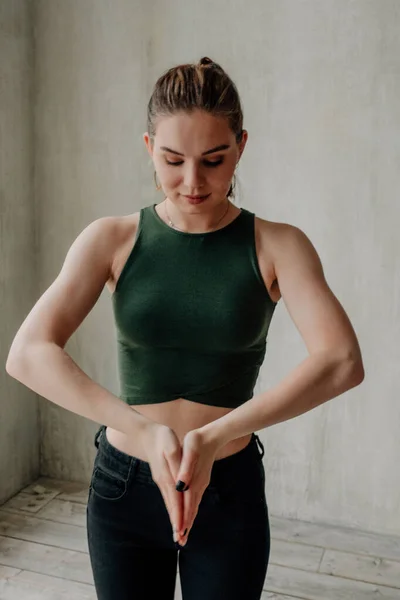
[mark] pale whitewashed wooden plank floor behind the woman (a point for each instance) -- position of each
(43, 553)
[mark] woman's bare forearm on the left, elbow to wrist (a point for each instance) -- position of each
(49, 371)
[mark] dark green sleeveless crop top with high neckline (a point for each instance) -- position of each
(192, 314)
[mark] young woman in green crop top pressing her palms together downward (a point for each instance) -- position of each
(194, 281)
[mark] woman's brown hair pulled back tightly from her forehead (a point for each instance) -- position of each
(188, 87)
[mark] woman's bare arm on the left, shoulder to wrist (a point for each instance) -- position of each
(37, 357)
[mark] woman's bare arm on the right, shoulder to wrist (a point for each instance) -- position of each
(334, 364)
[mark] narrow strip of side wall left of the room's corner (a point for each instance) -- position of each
(19, 450)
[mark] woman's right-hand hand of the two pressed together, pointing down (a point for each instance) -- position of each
(198, 456)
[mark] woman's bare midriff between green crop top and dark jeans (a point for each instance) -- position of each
(181, 416)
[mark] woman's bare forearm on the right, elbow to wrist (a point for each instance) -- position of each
(317, 379)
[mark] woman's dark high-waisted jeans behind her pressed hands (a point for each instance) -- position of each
(132, 552)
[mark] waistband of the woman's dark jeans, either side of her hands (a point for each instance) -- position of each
(141, 467)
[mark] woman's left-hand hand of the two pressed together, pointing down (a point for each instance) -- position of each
(164, 452)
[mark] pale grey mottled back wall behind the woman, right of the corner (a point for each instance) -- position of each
(320, 86)
